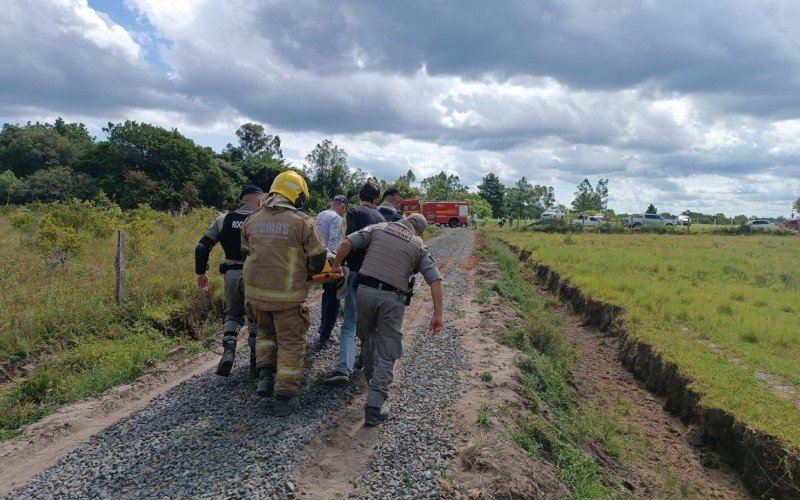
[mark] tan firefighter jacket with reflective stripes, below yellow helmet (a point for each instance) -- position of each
(284, 249)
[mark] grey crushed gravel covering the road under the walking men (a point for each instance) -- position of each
(213, 437)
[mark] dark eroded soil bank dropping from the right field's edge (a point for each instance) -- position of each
(765, 466)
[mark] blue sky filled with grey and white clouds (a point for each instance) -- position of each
(684, 104)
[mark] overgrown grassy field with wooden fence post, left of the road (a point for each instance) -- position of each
(60, 318)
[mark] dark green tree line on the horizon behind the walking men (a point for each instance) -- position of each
(140, 163)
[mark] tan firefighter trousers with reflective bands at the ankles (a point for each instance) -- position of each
(281, 345)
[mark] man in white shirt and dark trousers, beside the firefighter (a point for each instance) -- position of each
(329, 225)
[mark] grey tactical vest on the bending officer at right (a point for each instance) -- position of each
(393, 254)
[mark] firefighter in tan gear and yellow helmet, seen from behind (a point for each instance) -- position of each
(282, 250)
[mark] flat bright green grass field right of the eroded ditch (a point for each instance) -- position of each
(725, 309)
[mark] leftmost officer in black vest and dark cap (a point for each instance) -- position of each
(226, 230)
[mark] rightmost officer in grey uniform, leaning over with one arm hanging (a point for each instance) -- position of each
(394, 253)
